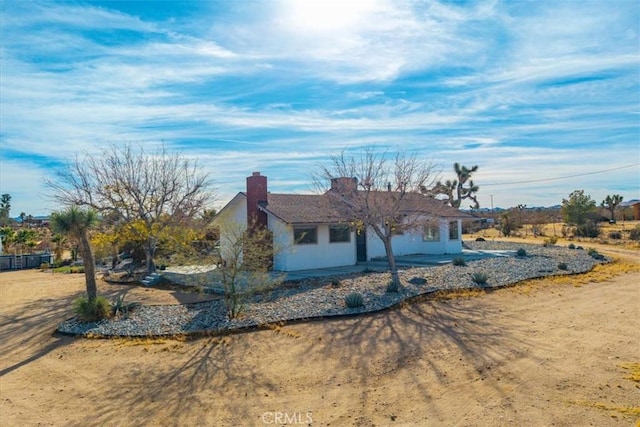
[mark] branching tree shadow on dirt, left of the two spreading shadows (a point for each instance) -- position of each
(203, 382)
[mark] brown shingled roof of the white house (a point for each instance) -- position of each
(329, 209)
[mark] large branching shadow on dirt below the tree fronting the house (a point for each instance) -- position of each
(415, 338)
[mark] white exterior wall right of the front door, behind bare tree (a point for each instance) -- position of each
(411, 243)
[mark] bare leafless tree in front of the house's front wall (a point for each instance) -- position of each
(380, 190)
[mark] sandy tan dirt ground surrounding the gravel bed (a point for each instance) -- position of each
(538, 355)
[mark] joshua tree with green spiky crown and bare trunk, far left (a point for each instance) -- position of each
(76, 224)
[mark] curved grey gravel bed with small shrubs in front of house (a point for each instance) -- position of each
(319, 298)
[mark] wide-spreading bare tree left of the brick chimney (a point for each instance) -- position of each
(146, 191)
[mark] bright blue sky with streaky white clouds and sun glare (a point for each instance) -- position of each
(526, 90)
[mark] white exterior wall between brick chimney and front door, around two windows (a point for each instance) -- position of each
(323, 254)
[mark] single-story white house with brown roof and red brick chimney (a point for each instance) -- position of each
(316, 231)
